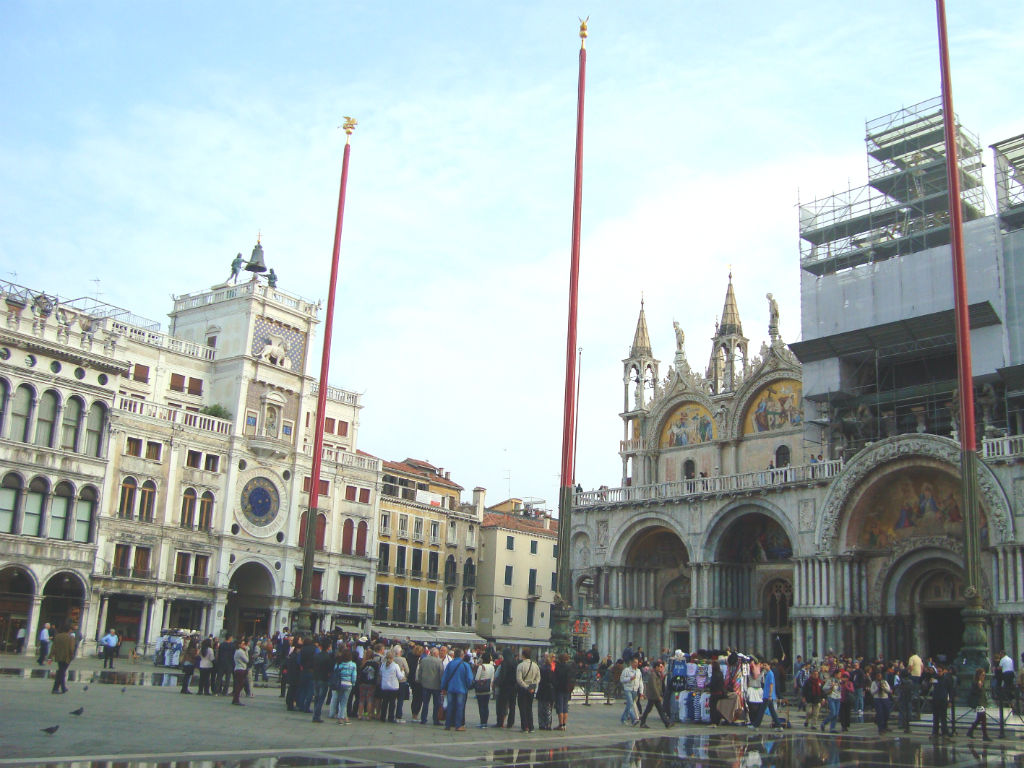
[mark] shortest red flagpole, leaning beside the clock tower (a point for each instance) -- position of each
(306, 603)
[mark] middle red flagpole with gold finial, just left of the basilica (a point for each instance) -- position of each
(561, 613)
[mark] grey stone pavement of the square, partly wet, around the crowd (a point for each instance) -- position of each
(130, 717)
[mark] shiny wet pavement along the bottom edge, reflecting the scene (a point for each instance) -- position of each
(699, 750)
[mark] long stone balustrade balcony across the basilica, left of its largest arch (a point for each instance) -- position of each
(700, 487)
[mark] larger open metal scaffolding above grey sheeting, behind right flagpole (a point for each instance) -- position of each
(905, 207)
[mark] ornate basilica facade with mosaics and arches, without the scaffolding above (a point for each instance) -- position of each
(745, 521)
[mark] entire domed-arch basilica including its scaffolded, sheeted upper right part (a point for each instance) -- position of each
(807, 499)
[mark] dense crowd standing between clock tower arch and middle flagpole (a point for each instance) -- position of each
(356, 678)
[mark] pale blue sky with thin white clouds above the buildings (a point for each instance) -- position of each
(144, 145)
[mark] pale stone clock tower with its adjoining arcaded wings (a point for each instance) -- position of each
(153, 481)
